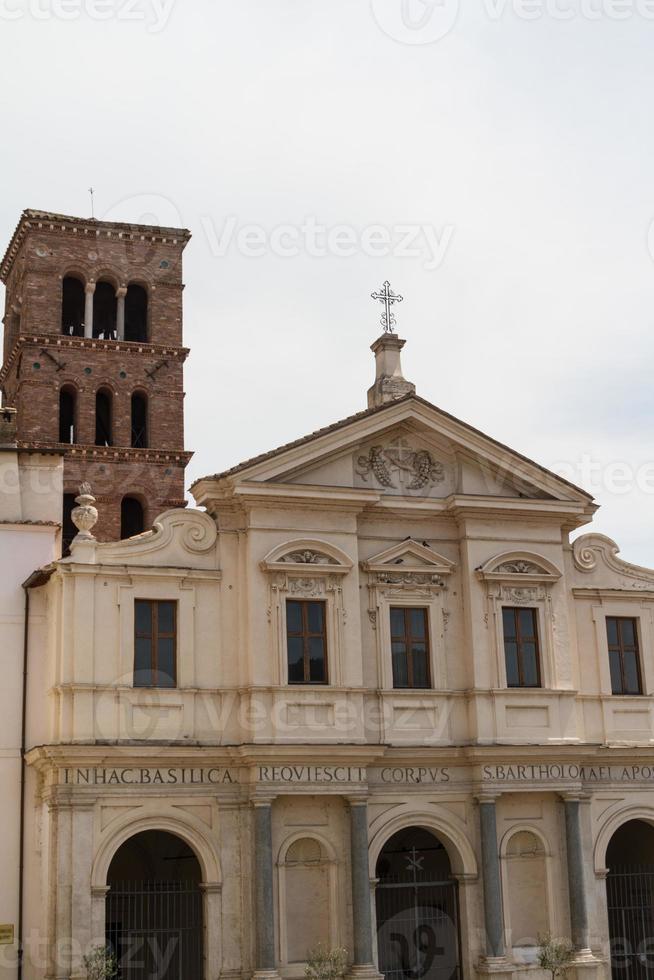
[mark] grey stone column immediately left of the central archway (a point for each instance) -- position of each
(361, 913)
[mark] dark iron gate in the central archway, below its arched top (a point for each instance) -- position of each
(418, 929)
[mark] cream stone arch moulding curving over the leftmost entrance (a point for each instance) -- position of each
(196, 840)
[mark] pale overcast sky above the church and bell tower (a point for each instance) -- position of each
(494, 160)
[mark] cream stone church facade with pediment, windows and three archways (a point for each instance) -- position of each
(367, 694)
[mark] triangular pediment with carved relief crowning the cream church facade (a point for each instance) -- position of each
(408, 449)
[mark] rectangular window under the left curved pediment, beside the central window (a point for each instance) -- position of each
(306, 640)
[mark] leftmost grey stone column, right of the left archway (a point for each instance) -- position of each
(263, 894)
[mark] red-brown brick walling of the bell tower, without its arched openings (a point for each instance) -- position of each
(40, 361)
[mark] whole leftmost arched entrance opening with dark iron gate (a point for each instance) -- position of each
(154, 919)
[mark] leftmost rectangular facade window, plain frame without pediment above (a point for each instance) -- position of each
(155, 643)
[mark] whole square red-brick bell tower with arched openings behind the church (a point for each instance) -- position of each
(93, 360)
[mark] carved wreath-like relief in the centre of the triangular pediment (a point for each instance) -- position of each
(400, 466)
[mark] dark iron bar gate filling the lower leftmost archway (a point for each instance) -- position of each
(155, 929)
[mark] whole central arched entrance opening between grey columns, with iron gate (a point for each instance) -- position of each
(417, 909)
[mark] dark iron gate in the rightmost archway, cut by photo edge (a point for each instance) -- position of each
(630, 900)
